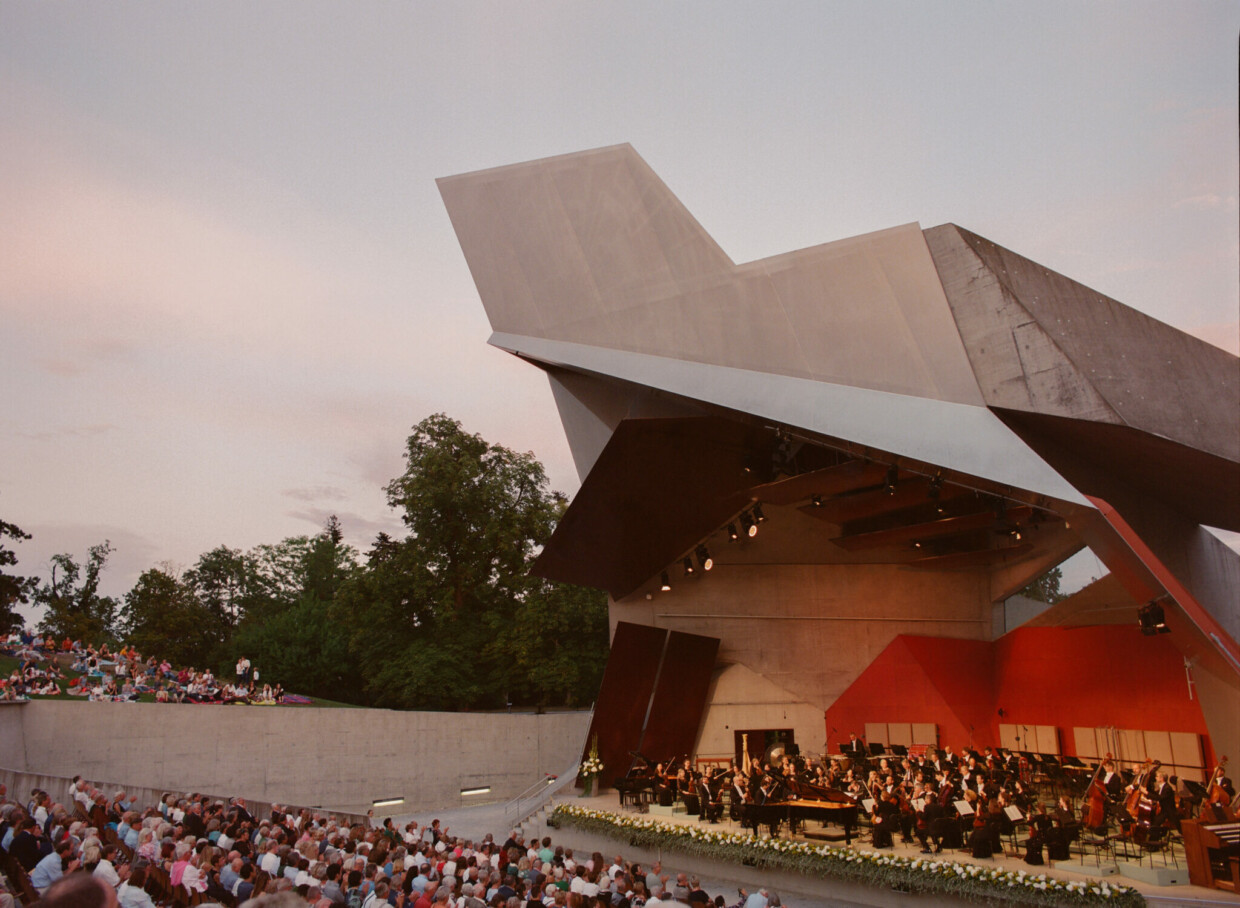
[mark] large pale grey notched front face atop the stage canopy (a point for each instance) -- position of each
(593, 249)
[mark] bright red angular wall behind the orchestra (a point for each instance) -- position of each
(1047, 677)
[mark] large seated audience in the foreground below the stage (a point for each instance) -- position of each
(102, 853)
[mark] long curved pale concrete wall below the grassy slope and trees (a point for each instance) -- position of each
(333, 759)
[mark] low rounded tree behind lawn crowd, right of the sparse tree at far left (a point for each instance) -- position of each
(163, 617)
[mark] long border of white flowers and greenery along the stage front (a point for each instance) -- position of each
(965, 881)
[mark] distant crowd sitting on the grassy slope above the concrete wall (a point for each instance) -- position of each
(120, 677)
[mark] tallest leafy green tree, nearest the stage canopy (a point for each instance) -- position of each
(445, 618)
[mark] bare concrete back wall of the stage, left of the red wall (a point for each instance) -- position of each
(803, 633)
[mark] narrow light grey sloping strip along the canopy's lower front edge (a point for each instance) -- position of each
(972, 440)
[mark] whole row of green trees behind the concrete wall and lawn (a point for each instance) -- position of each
(448, 617)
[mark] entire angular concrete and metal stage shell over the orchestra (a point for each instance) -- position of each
(924, 421)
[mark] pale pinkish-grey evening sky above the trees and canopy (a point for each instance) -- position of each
(229, 287)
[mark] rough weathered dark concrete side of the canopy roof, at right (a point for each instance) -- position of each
(1094, 358)
